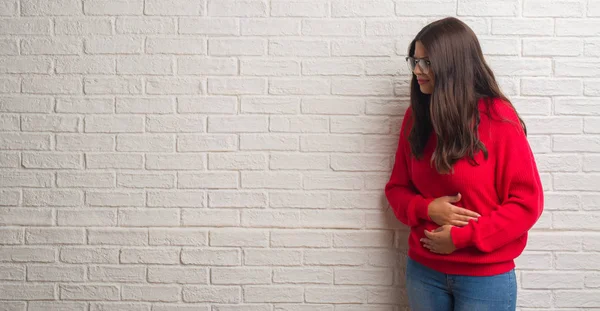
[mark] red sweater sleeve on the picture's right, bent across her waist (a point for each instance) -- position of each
(518, 186)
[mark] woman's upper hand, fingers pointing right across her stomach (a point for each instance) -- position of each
(443, 212)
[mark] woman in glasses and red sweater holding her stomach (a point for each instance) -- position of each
(464, 177)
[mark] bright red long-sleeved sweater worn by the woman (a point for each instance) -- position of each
(505, 190)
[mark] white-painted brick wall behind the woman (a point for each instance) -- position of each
(228, 155)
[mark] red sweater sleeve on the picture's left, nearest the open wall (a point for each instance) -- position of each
(408, 205)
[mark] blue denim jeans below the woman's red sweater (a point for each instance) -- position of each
(429, 290)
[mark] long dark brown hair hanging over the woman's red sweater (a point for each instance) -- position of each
(461, 78)
